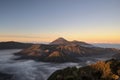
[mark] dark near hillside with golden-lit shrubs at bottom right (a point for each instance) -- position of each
(109, 70)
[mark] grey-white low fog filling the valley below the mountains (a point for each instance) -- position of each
(31, 70)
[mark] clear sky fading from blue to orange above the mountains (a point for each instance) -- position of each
(93, 21)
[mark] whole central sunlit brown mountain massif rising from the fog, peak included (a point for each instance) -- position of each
(62, 50)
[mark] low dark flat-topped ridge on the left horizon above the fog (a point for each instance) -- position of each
(14, 45)
